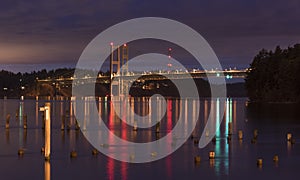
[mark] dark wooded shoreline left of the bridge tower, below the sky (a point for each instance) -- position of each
(17, 84)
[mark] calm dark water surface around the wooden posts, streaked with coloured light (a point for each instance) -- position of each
(235, 159)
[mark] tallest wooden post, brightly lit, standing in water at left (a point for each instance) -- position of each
(47, 113)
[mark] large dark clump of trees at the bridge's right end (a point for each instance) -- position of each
(274, 76)
